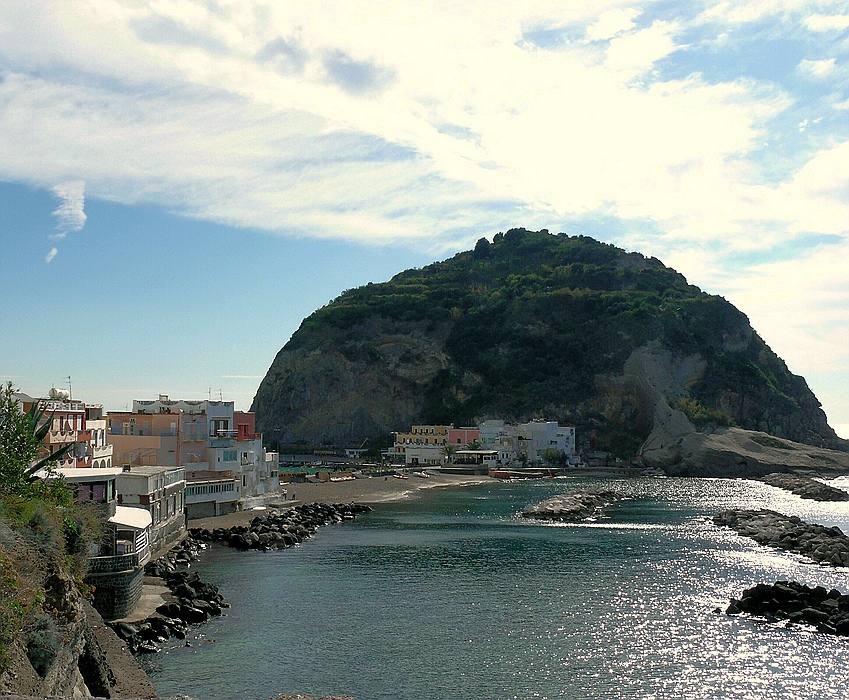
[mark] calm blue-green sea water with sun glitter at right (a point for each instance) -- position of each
(452, 596)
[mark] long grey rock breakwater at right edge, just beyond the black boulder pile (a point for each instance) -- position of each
(825, 545)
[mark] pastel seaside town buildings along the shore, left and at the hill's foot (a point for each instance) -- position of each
(153, 470)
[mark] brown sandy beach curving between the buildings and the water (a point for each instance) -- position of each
(367, 490)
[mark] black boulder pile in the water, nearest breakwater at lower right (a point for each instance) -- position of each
(827, 610)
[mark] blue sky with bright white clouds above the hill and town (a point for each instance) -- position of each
(183, 181)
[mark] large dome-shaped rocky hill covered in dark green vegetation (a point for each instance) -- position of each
(534, 325)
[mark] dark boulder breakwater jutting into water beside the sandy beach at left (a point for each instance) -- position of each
(282, 528)
